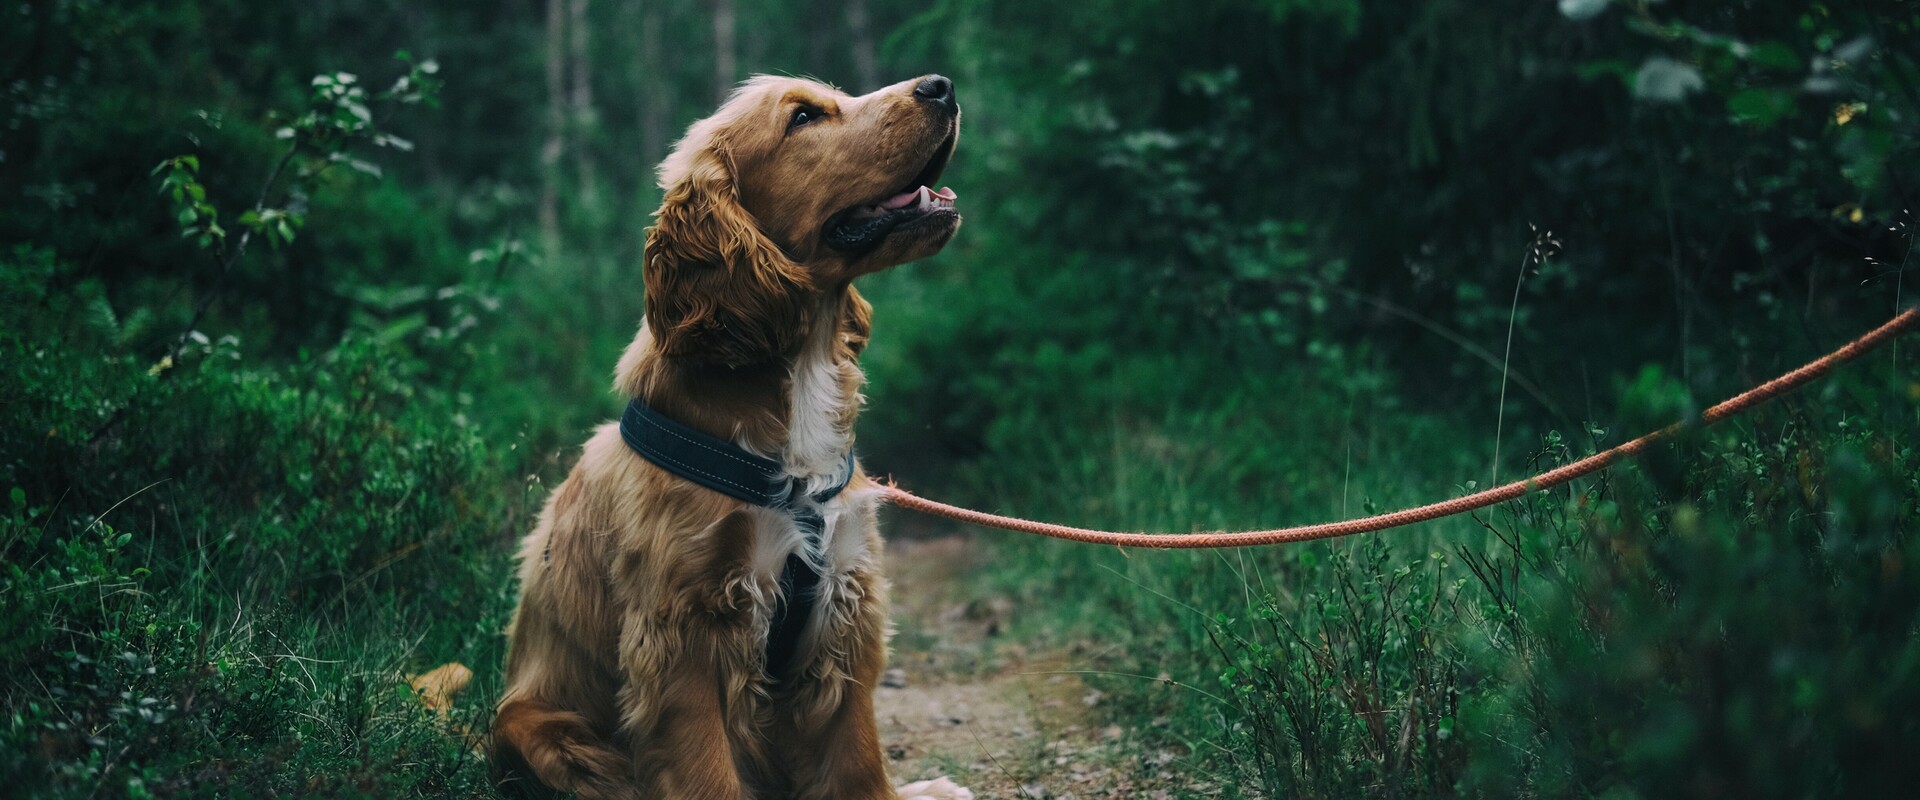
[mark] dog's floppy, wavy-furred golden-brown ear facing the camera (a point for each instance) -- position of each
(719, 293)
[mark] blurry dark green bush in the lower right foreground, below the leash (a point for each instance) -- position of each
(1756, 642)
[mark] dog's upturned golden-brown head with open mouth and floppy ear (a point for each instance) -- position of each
(788, 191)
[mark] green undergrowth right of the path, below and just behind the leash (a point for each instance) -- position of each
(1731, 617)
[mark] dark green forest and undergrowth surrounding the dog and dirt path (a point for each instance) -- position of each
(297, 333)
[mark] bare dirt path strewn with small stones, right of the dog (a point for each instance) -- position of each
(999, 717)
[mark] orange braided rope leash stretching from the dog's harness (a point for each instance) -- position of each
(1460, 506)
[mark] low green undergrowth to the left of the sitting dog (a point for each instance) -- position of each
(224, 619)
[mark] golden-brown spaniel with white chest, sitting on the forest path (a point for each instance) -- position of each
(702, 605)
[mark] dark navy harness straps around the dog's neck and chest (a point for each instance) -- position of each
(750, 479)
